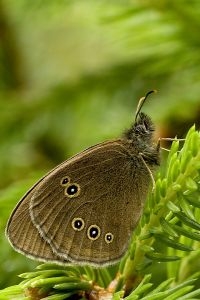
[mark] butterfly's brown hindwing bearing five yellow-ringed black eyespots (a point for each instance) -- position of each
(88, 226)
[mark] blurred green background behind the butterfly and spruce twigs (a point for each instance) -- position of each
(71, 74)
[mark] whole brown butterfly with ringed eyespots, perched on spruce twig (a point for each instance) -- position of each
(85, 209)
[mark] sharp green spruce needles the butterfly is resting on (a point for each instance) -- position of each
(169, 223)
